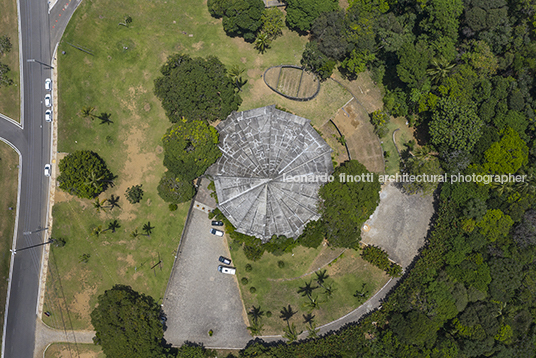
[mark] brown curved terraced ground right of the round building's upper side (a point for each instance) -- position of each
(363, 144)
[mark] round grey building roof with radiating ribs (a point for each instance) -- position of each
(271, 168)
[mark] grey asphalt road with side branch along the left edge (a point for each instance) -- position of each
(32, 139)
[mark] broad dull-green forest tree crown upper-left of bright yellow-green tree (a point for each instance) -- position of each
(454, 127)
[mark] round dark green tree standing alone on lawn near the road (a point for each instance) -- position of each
(77, 167)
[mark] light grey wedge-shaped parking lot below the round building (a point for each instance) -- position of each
(199, 298)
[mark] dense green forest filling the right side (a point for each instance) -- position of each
(463, 73)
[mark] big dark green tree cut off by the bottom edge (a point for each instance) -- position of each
(127, 324)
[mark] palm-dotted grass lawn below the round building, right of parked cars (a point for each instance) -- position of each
(277, 287)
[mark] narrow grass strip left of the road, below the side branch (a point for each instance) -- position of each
(9, 174)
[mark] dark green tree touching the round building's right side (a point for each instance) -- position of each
(346, 204)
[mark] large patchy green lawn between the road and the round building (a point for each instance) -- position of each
(118, 78)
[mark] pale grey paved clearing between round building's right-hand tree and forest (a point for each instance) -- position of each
(400, 224)
